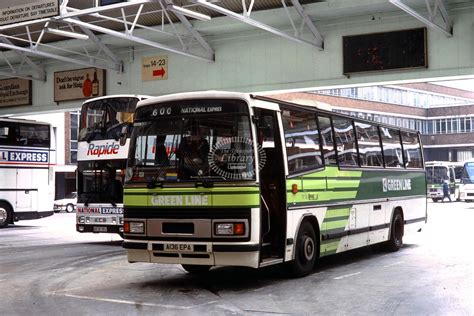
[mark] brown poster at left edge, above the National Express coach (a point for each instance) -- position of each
(15, 92)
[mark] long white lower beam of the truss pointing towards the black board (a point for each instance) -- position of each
(246, 19)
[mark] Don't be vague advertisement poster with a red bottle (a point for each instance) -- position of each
(79, 84)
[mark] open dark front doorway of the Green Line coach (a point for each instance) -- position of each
(272, 187)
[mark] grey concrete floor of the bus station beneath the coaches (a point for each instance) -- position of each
(46, 268)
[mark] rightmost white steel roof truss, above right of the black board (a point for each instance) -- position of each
(438, 7)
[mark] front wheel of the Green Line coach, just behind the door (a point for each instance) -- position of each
(306, 250)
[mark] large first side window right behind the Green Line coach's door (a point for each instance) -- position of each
(301, 140)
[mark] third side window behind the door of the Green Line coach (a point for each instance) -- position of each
(345, 142)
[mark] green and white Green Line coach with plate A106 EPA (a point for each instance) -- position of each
(222, 178)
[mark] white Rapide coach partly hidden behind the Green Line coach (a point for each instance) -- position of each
(104, 131)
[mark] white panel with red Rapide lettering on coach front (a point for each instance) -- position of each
(102, 150)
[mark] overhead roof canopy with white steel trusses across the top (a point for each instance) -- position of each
(178, 26)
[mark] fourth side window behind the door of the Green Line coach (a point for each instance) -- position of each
(370, 152)
